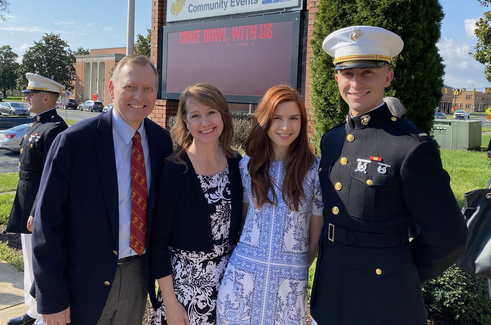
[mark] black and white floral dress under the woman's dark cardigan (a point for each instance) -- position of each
(196, 275)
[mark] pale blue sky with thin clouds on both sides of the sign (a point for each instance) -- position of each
(96, 24)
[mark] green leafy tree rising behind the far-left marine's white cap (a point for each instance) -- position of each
(51, 57)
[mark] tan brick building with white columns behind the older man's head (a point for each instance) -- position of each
(93, 73)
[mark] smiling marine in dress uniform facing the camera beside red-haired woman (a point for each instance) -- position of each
(380, 176)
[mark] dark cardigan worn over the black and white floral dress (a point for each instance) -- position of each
(182, 217)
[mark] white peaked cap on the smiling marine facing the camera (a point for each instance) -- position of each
(362, 47)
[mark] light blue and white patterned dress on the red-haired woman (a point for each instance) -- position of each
(266, 278)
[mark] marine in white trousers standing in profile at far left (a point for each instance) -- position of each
(34, 150)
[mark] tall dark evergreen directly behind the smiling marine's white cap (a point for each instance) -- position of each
(418, 69)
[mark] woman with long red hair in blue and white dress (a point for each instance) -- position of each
(267, 275)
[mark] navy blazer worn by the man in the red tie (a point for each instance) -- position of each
(76, 229)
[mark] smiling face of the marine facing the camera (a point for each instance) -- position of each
(363, 89)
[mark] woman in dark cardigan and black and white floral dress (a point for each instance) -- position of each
(198, 210)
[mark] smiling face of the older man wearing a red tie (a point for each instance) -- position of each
(134, 93)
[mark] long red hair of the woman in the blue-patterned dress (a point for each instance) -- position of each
(297, 161)
